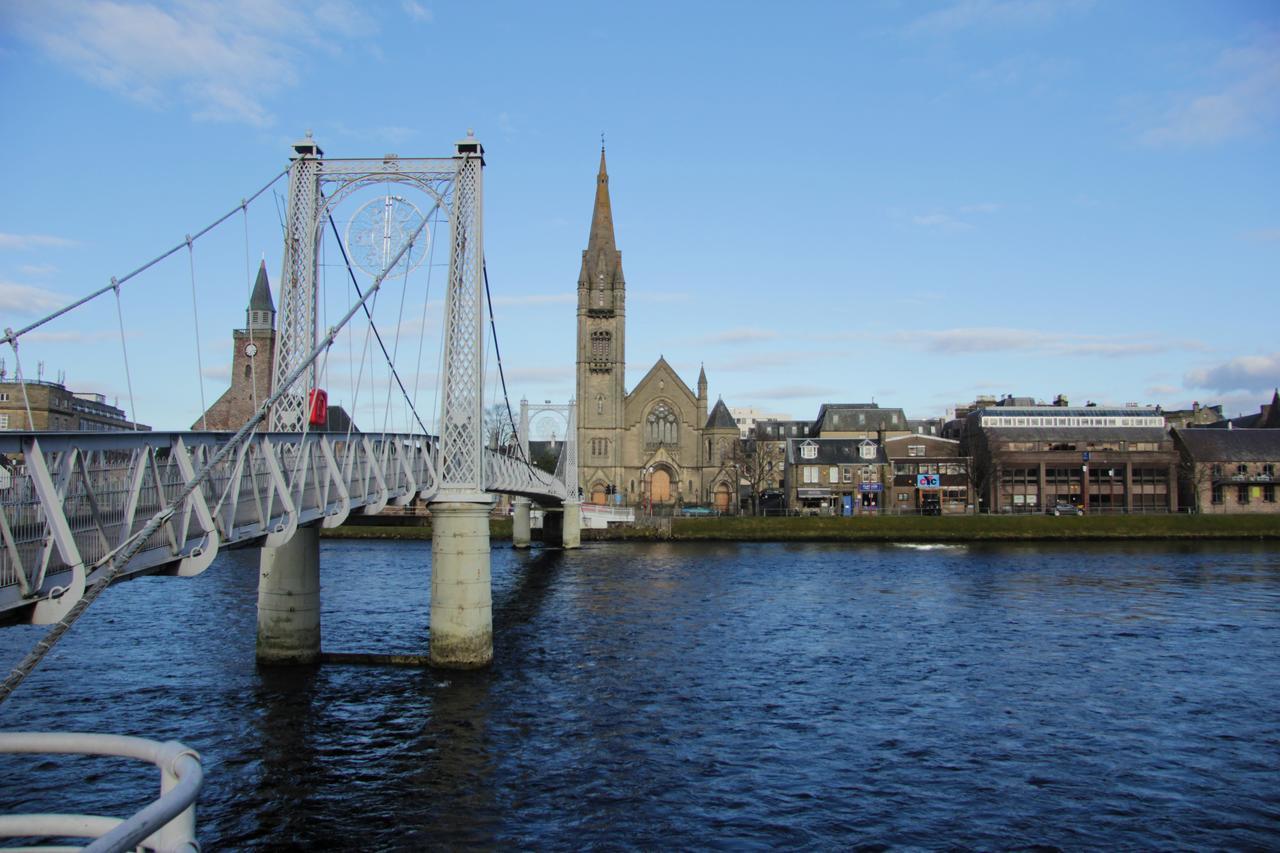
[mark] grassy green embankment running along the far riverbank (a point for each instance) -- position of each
(903, 530)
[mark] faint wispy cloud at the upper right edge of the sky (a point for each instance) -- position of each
(1242, 103)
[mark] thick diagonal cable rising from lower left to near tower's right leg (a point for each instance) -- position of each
(121, 558)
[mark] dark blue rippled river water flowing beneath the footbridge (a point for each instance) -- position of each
(728, 696)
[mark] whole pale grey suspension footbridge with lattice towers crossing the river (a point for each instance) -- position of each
(83, 510)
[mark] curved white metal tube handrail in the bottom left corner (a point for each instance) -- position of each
(167, 824)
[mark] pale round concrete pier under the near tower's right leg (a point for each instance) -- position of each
(461, 596)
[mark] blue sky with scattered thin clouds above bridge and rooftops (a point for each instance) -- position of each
(904, 203)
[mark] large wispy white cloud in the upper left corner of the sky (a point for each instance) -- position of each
(225, 62)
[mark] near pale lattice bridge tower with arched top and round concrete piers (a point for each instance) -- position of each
(461, 627)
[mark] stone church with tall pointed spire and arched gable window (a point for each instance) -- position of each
(659, 444)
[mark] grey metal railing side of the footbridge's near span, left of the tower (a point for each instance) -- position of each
(70, 500)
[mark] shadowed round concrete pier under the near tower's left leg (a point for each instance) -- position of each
(289, 600)
